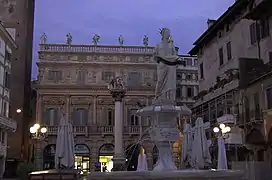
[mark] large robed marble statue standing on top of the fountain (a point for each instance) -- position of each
(166, 56)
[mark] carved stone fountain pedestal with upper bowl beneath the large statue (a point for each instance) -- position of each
(163, 131)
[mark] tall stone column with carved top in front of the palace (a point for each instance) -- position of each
(118, 93)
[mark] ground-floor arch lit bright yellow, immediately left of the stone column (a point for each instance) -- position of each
(106, 152)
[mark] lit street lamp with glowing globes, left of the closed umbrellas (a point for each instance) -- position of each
(37, 134)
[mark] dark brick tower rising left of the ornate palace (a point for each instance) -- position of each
(19, 16)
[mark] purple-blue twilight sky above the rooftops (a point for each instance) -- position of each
(131, 18)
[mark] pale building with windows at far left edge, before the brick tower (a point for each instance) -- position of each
(7, 46)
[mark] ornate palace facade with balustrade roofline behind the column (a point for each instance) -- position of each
(73, 79)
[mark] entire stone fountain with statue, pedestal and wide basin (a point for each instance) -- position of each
(163, 132)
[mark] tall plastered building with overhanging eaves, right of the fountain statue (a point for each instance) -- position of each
(219, 49)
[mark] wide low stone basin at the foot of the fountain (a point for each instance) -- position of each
(169, 175)
